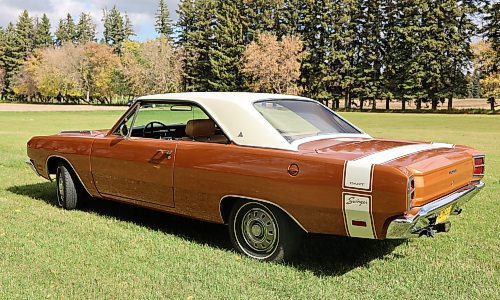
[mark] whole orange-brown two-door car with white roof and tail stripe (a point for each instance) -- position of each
(272, 167)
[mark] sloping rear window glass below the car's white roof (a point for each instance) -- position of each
(300, 119)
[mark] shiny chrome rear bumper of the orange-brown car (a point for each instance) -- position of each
(407, 227)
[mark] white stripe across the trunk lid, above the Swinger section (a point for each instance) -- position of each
(358, 172)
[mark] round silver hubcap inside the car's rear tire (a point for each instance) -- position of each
(259, 230)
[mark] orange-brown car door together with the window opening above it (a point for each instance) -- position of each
(130, 167)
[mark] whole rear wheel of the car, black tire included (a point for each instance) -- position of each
(263, 232)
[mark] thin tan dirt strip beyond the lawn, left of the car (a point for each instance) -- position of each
(53, 107)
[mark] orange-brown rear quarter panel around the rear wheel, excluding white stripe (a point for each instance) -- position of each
(205, 173)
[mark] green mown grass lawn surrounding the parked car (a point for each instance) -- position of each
(111, 250)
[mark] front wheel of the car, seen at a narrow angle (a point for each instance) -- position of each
(68, 195)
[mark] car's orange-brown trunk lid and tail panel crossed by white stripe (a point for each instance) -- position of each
(438, 169)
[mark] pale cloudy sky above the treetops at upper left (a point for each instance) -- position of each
(141, 12)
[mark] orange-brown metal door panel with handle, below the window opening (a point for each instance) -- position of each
(135, 169)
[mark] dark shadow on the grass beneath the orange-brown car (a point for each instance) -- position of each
(322, 255)
